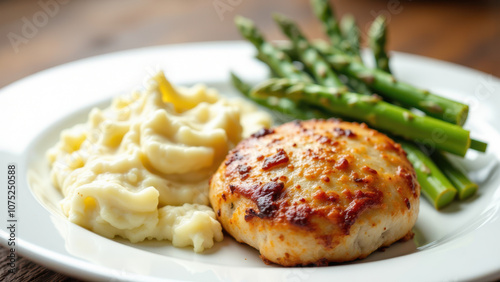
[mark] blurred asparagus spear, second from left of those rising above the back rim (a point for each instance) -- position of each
(307, 54)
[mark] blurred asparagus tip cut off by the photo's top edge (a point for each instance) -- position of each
(324, 12)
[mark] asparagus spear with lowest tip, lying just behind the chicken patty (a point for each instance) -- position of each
(280, 106)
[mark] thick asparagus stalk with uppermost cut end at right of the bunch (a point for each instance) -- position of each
(386, 85)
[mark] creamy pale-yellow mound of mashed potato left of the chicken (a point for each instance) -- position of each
(139, 169)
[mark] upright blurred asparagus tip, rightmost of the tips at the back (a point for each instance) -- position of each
(377, 39)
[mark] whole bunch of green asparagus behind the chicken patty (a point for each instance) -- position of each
(314, 79)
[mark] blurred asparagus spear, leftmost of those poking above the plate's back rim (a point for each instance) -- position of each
(279, 62)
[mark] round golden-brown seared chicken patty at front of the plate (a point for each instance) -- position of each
(314, 192)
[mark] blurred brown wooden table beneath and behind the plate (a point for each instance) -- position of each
(462, 32)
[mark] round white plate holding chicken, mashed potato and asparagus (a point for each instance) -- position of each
(460, 242)
